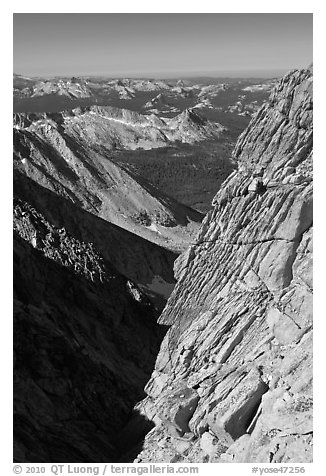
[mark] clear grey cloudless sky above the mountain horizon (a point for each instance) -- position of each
(161, 44)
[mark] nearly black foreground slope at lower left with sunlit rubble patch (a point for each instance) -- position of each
(85, 342)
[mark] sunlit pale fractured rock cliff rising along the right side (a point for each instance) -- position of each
(233, 378)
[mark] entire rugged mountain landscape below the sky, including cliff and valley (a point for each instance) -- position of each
(162, 269)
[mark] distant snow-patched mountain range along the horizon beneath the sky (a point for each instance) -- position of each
(160, 97)
